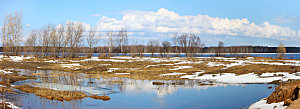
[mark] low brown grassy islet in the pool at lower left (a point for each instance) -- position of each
(58, 95)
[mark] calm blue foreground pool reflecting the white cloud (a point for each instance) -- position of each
(137, 94)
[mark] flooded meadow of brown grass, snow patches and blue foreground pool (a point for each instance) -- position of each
(142, 82)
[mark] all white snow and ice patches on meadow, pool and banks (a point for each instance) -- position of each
(180, 63)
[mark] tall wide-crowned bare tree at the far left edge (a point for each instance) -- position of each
(12, 32)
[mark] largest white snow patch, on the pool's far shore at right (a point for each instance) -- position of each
(232, 78)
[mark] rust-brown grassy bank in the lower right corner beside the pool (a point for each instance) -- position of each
(287, 92)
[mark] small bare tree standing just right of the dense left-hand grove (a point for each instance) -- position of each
(92, 40)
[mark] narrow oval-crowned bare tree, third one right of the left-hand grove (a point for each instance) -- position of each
(122, 40)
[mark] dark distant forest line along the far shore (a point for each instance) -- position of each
(171, 49)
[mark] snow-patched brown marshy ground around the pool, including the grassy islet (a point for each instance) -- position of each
(64, 83)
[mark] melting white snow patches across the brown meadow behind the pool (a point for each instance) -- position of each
(182, 63)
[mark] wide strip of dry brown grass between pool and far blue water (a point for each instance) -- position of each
(153, 72)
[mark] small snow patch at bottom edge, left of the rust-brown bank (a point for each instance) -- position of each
(262, 104)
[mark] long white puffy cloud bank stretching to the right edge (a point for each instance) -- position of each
(168, 21)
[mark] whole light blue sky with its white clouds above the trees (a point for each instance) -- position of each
(279, 15)
